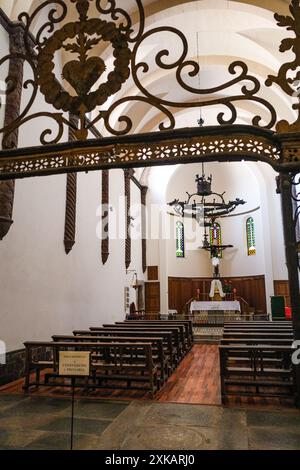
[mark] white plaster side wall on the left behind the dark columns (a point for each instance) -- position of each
(44, 291)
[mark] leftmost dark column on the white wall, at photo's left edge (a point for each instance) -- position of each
(12, 112)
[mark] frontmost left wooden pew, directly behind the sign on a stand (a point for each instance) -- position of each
(120, 363)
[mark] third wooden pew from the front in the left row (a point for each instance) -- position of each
(166, 336)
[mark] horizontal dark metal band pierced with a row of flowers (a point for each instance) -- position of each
(189, 145)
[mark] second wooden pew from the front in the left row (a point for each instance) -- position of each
(158, 354)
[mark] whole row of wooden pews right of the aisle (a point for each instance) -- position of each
(256, 359)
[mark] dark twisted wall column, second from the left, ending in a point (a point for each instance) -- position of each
(71, 197)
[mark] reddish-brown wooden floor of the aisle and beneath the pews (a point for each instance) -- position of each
(195, 381)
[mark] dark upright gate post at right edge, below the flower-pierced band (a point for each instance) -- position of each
(289, 227)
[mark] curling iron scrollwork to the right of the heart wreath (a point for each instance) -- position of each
(248, 92)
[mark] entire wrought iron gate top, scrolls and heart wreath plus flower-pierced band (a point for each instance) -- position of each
(87, 86)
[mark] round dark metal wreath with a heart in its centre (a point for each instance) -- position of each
(82, 74)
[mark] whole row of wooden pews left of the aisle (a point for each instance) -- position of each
(129, 354)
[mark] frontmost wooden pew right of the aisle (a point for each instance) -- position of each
(257, 377)
